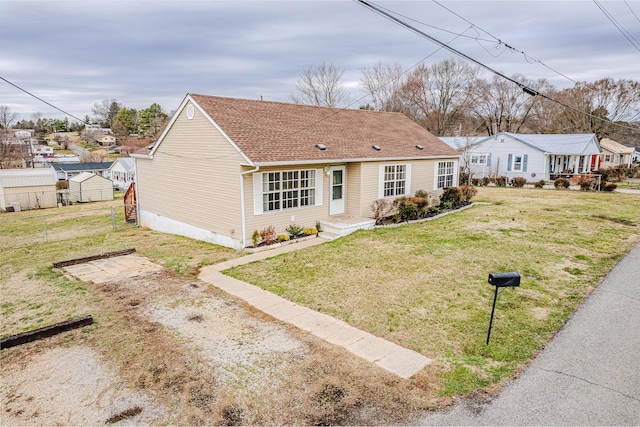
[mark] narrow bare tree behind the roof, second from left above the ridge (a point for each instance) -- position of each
(383, 83)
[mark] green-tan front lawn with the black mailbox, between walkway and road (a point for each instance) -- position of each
(424, 286)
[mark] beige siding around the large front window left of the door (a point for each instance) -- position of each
(304, 216)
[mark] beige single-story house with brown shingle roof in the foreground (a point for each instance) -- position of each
(224, 168)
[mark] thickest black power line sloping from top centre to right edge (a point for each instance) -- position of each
(524, 88)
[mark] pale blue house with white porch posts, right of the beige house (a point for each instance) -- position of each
(534, 156)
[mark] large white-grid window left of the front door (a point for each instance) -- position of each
(289, 189)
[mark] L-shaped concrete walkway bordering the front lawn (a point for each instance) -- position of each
(387, 355)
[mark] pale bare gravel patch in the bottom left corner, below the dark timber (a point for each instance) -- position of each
(70, 386)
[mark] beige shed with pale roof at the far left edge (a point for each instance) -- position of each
(32, 188)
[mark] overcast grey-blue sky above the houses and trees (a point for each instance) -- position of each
(76, 53)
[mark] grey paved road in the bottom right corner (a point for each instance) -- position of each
(589, 374)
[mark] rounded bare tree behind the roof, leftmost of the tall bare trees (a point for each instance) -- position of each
(321, 85)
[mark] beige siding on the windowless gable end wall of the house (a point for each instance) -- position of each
(194, 178)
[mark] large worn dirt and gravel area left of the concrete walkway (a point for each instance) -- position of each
(167, 349)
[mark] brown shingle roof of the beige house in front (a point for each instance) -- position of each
(278, 132)
